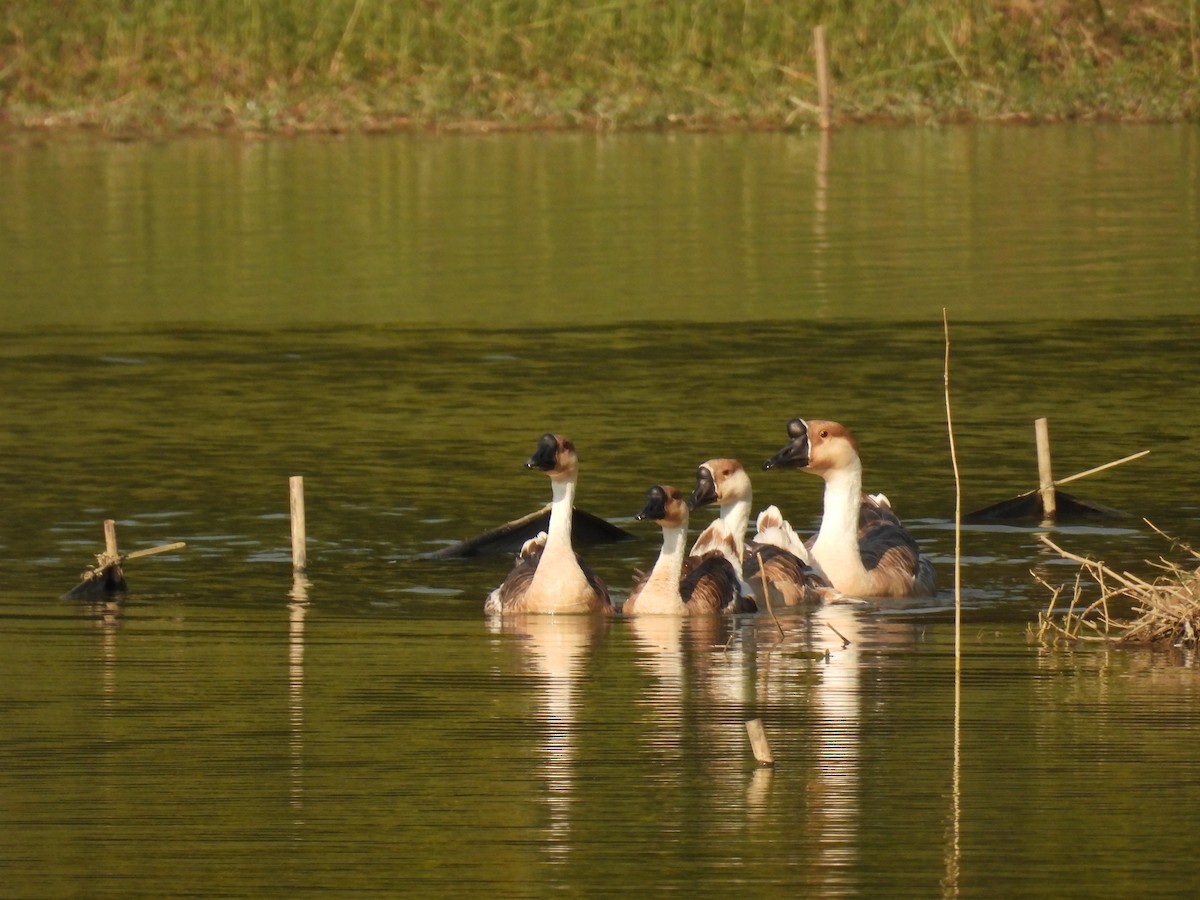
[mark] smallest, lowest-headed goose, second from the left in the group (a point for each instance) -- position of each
(681, 585)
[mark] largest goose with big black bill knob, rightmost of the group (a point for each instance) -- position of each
(861, 548)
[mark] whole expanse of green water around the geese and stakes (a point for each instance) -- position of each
(185, 326)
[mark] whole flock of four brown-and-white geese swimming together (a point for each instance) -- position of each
(860, 551)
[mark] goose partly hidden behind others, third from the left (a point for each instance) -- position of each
(779, 550)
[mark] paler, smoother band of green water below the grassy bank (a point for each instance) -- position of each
(998, 224)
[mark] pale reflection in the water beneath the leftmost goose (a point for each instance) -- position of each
(556, 647)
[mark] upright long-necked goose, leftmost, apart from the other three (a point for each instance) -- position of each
(548, 577)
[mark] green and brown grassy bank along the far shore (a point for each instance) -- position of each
(290, 65)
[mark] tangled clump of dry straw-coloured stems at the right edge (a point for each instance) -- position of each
(1166, 610)
